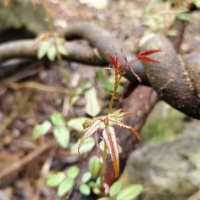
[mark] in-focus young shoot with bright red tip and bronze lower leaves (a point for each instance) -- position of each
(109, 133)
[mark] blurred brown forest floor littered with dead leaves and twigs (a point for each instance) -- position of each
(24, 163)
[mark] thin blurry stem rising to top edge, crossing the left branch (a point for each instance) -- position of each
(58, 55)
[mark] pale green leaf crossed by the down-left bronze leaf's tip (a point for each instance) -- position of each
(86, 146)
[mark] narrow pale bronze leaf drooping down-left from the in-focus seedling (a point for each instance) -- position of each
(91, 131)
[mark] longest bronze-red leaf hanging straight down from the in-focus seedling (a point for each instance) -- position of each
(110, 139)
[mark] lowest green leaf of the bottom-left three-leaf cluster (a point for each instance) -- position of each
(65, 187)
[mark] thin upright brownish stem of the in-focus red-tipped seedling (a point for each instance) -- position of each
(103, 167)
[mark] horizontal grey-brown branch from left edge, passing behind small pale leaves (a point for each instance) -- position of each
(77, 52)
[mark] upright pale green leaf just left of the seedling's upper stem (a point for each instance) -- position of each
(92, 105)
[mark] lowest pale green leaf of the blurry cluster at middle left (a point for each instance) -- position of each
(62, 136)
